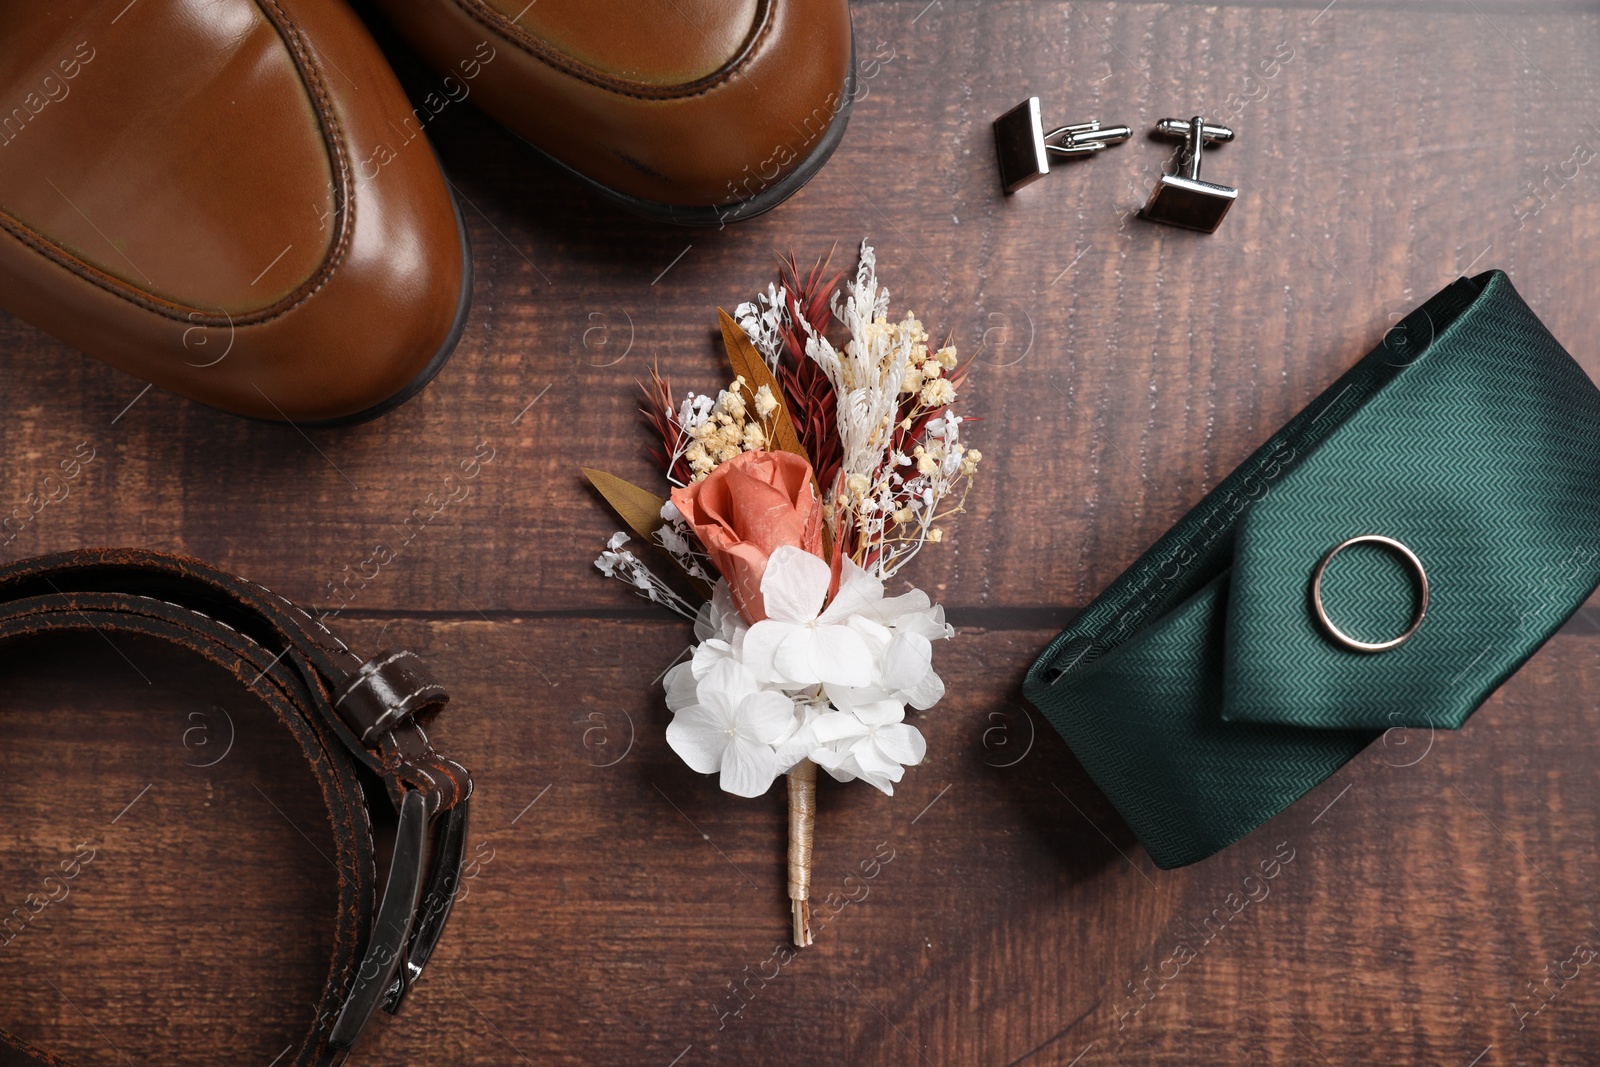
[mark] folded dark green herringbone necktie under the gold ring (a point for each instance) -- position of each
(1202, 693)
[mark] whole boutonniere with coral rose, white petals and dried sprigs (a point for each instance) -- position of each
(796, 495)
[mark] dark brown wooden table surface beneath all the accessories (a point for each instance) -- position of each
(1442, 895)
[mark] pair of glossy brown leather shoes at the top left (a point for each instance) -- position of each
(234, 199)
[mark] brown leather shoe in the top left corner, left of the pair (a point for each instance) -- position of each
(220, 198)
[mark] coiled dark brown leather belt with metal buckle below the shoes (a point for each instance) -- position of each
(356, 722)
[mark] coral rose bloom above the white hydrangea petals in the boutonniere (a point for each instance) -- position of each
(745, 511)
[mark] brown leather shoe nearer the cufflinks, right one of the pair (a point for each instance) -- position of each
(684, 111)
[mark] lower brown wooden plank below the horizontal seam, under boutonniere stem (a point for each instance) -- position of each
(625, 909)
